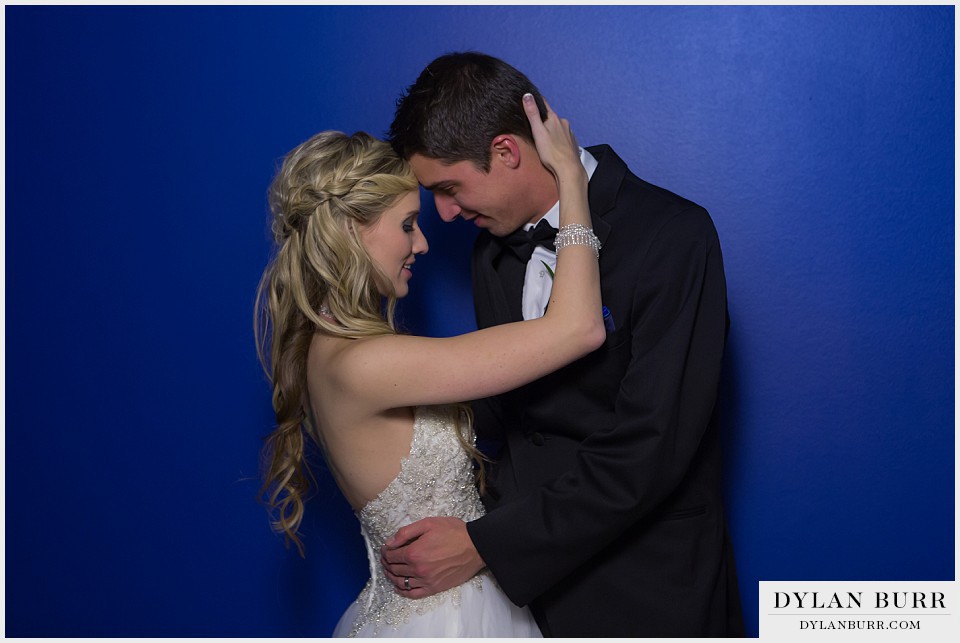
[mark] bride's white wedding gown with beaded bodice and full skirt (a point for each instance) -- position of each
(436, 479)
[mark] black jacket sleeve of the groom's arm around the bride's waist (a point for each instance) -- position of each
(663, 407)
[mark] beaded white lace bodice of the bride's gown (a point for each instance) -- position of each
(436, 479)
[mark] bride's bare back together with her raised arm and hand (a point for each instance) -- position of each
(362, 391)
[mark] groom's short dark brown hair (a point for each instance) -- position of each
(456, 107)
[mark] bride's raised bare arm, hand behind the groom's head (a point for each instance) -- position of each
(393, 371)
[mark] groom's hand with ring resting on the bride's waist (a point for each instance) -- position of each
(435, 554)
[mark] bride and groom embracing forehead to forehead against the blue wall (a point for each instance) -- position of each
(595, 507)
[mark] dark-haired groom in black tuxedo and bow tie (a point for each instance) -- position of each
(604, 507)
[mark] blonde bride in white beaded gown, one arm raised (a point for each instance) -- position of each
(387, 408)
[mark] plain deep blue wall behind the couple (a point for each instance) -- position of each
(139, 145)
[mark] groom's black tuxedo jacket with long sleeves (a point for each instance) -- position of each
(604, 509)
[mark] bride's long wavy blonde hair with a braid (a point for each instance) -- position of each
(325, 188)
